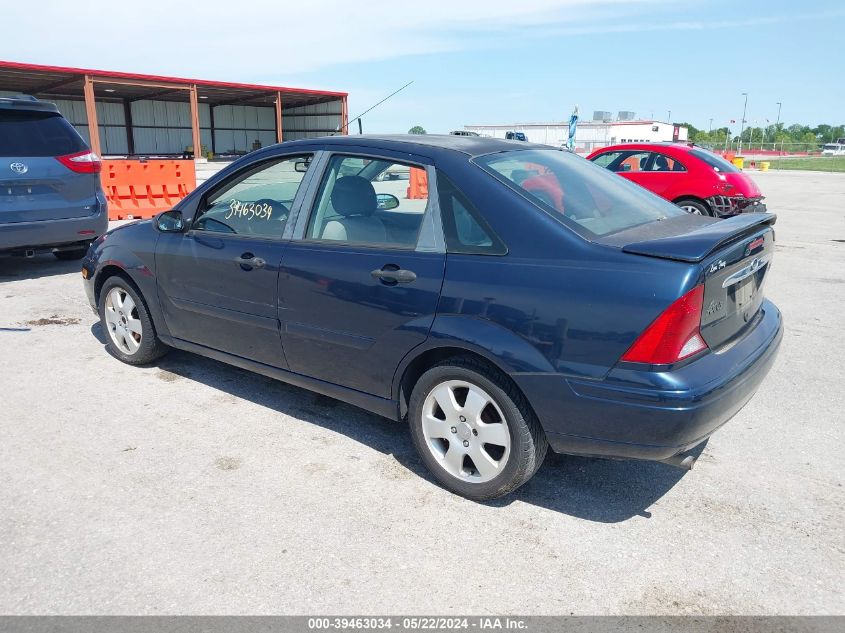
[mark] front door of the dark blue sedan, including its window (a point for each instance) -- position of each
(217, 282)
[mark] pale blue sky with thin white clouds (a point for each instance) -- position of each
(476, 61)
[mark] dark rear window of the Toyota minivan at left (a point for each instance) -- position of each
(37, 134)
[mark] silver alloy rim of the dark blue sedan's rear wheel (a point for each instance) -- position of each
(466, 431)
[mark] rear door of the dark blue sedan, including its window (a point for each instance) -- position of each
(360, 281)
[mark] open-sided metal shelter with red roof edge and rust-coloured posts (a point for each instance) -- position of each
(122, 110)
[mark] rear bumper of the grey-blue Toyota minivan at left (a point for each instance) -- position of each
(48, 235)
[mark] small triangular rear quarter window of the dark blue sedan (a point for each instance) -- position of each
(464, 228)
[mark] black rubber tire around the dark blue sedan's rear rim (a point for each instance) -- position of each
(528, 443)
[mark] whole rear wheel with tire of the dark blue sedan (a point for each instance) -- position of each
(474, 430)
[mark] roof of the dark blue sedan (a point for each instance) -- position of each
(423, 143)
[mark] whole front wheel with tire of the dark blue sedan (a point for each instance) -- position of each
(130, 334)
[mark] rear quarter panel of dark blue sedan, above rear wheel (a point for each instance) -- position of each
(573, 315)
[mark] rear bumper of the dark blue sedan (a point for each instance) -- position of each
(654, 415)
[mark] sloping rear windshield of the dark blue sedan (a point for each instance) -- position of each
(586, 197)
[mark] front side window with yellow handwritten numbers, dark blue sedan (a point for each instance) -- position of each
(255, 203)
